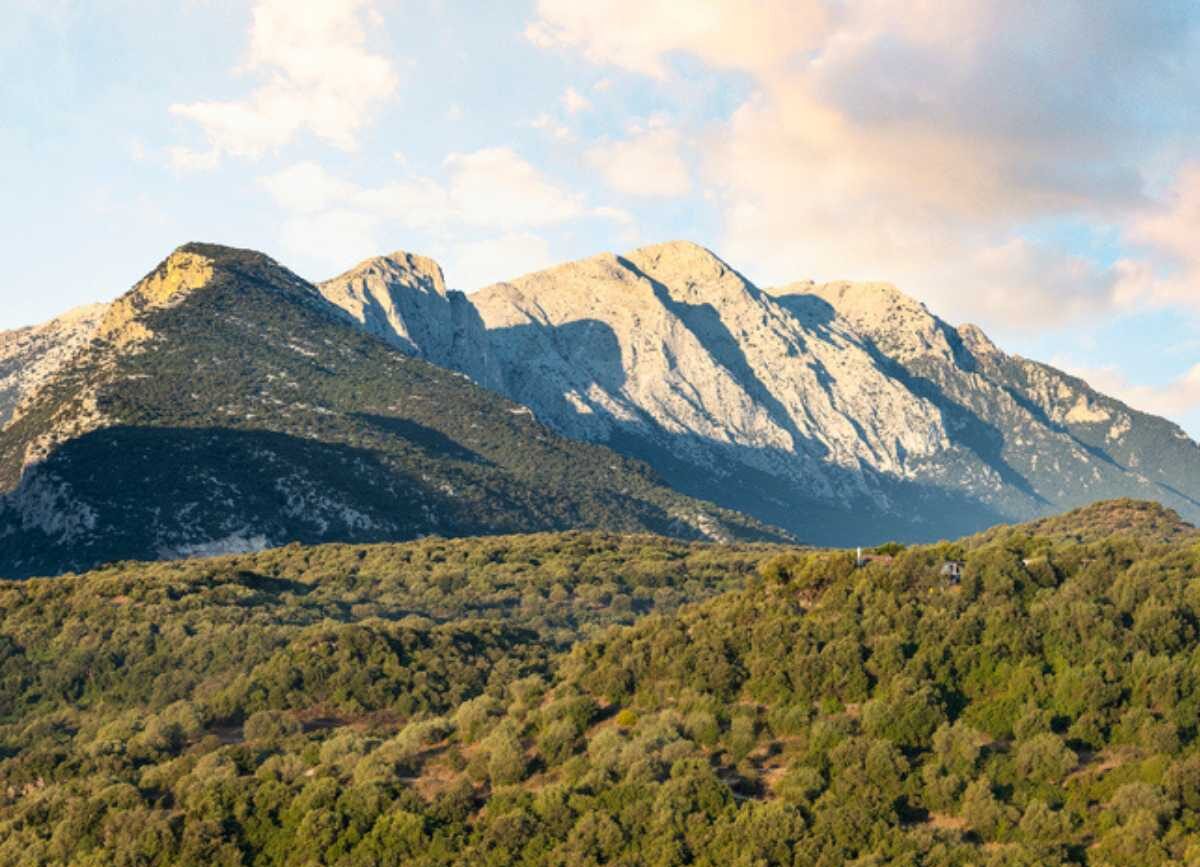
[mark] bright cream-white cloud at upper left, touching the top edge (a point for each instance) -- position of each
(316, 75)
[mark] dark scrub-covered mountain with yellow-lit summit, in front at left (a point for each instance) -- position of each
(225, 405)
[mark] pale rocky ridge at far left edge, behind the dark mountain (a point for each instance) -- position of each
(31, 356)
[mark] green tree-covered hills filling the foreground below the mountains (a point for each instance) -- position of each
(406, 704)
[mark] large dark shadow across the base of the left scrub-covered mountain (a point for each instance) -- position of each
(147, 493)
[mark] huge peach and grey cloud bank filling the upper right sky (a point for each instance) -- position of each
(931, 143)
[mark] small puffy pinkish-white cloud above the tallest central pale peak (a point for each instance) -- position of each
(647, 165)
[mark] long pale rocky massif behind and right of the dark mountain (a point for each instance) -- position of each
(844, 412)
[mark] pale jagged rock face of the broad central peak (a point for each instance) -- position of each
(673, 346)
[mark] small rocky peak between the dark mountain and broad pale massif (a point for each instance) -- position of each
(404, 300)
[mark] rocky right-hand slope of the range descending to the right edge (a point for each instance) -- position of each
(1053, 441)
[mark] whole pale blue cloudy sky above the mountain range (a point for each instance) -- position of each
(1030, 168)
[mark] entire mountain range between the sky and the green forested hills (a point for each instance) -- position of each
(226, 405)
